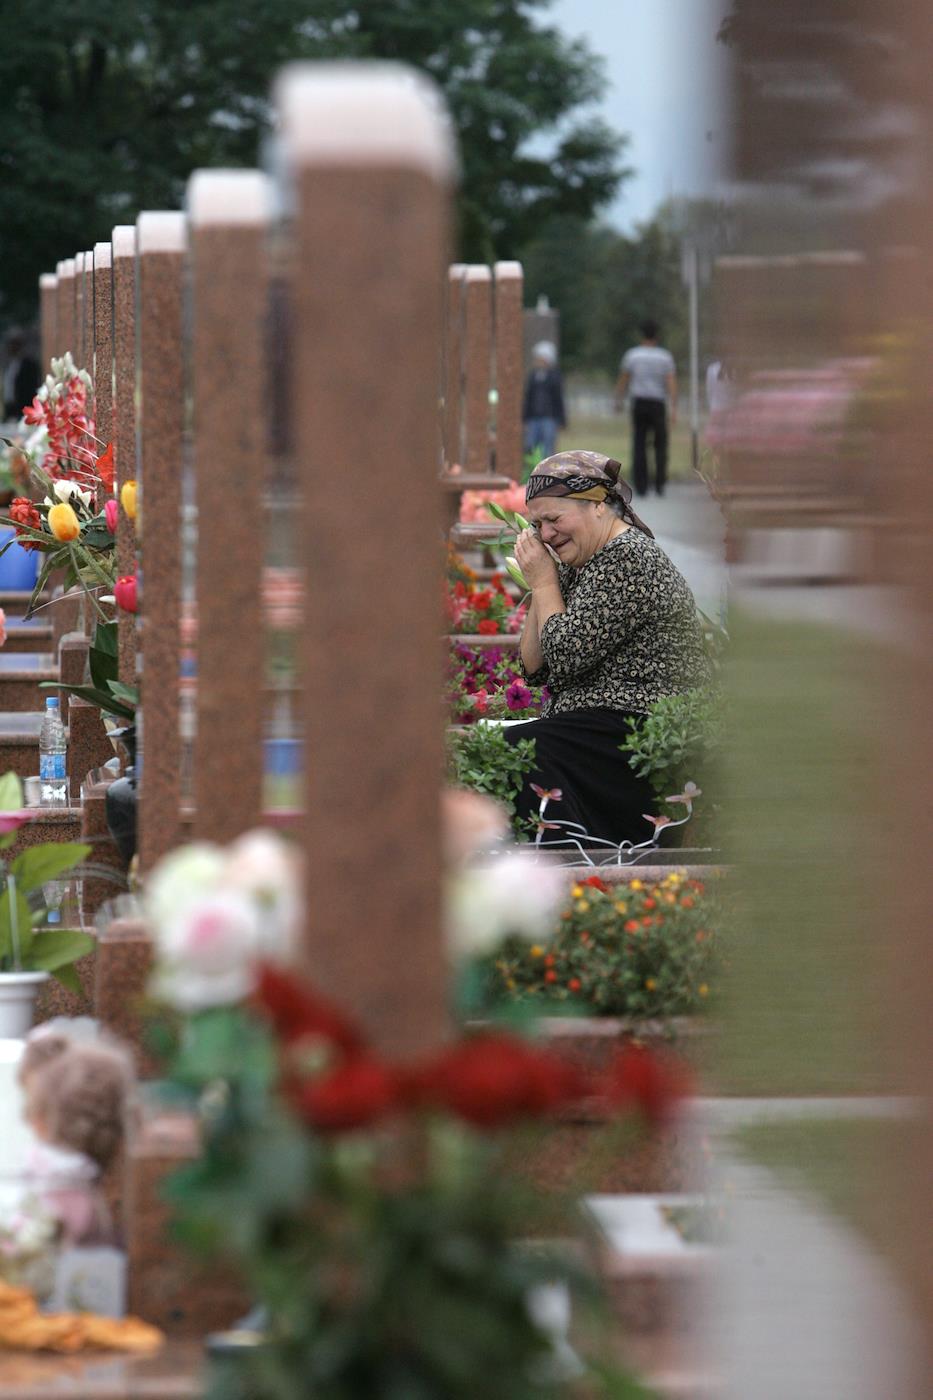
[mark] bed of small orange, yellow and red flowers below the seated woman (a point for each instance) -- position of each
(649, 950)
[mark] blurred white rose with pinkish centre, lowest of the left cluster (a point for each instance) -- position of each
(208, 951)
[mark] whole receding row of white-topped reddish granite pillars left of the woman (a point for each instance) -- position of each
(173, 318)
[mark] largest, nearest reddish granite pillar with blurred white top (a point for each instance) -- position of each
(366, 150)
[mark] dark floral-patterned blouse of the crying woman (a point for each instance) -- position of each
(630, 633)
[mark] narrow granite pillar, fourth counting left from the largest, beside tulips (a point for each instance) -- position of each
(124, 258)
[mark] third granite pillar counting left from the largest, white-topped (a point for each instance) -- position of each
(162, 265)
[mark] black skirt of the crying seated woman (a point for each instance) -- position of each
(579, 754)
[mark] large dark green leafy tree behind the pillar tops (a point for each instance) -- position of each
(107, 106)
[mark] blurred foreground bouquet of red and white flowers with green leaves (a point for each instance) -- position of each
(362, 1200)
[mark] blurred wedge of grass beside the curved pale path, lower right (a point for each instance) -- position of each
(847, 1164)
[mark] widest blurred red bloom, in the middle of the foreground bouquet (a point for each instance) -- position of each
(494, 1079)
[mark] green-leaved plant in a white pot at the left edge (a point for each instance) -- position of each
(29, 953)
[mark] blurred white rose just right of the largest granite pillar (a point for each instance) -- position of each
(509, 897)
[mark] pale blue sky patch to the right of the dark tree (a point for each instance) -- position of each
(665, 90)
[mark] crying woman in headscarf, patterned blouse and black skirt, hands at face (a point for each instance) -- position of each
(611, 629)
